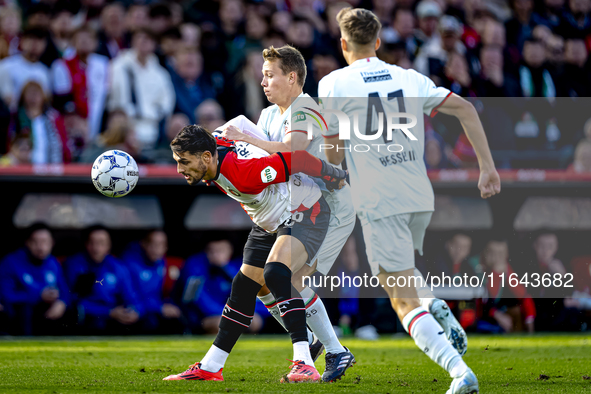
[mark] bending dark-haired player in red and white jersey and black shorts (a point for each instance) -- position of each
(292, 220)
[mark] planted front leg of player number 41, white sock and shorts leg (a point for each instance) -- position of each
(390, 251)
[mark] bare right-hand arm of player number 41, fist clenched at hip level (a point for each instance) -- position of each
(489, 182)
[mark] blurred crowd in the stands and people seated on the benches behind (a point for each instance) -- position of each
(81, 77)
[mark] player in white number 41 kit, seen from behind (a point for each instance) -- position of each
(391, 191)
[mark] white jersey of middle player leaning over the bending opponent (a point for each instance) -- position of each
(302, 112)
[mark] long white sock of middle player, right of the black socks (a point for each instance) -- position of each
(319, 322)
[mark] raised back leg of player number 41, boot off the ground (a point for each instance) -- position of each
(438, 308)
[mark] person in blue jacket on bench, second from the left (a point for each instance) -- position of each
(101, 286)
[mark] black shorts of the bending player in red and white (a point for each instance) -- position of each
(309, 227)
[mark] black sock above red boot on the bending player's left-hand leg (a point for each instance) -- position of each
(238, 312)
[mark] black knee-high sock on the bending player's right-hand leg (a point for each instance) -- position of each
(292, 308)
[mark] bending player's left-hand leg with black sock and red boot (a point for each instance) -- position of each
(239, 310)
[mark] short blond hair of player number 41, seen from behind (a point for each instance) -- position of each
(358, 26)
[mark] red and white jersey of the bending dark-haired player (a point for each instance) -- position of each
(259, 185)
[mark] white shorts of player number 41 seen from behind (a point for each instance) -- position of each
(390, 242)
